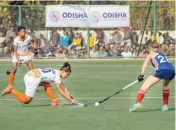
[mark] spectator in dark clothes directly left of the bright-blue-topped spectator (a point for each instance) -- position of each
(55, 38)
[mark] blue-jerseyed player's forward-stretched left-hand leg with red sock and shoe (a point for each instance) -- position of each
(149, 82)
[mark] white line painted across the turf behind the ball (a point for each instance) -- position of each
(90, 98)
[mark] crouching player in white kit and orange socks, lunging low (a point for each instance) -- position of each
(44, 76)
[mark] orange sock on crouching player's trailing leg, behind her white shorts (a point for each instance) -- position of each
(19, 96)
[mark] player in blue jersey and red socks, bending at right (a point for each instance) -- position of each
(164, 70)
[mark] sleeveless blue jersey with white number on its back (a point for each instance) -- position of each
(161, 62)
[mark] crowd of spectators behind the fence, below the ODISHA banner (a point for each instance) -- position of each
(66, 43)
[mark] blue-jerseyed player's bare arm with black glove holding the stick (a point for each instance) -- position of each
(144, 66)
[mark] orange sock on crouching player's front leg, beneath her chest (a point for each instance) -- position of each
(50, 93)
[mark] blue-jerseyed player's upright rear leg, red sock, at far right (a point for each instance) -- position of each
(166, 92)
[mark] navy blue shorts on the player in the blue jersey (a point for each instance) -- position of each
(164, 74)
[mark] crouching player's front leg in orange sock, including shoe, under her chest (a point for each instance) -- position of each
(51, 95)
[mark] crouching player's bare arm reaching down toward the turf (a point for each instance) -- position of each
(64, 92)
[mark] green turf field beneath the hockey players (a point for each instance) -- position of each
(89, 82)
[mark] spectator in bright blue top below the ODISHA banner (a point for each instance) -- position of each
(64, 40)
